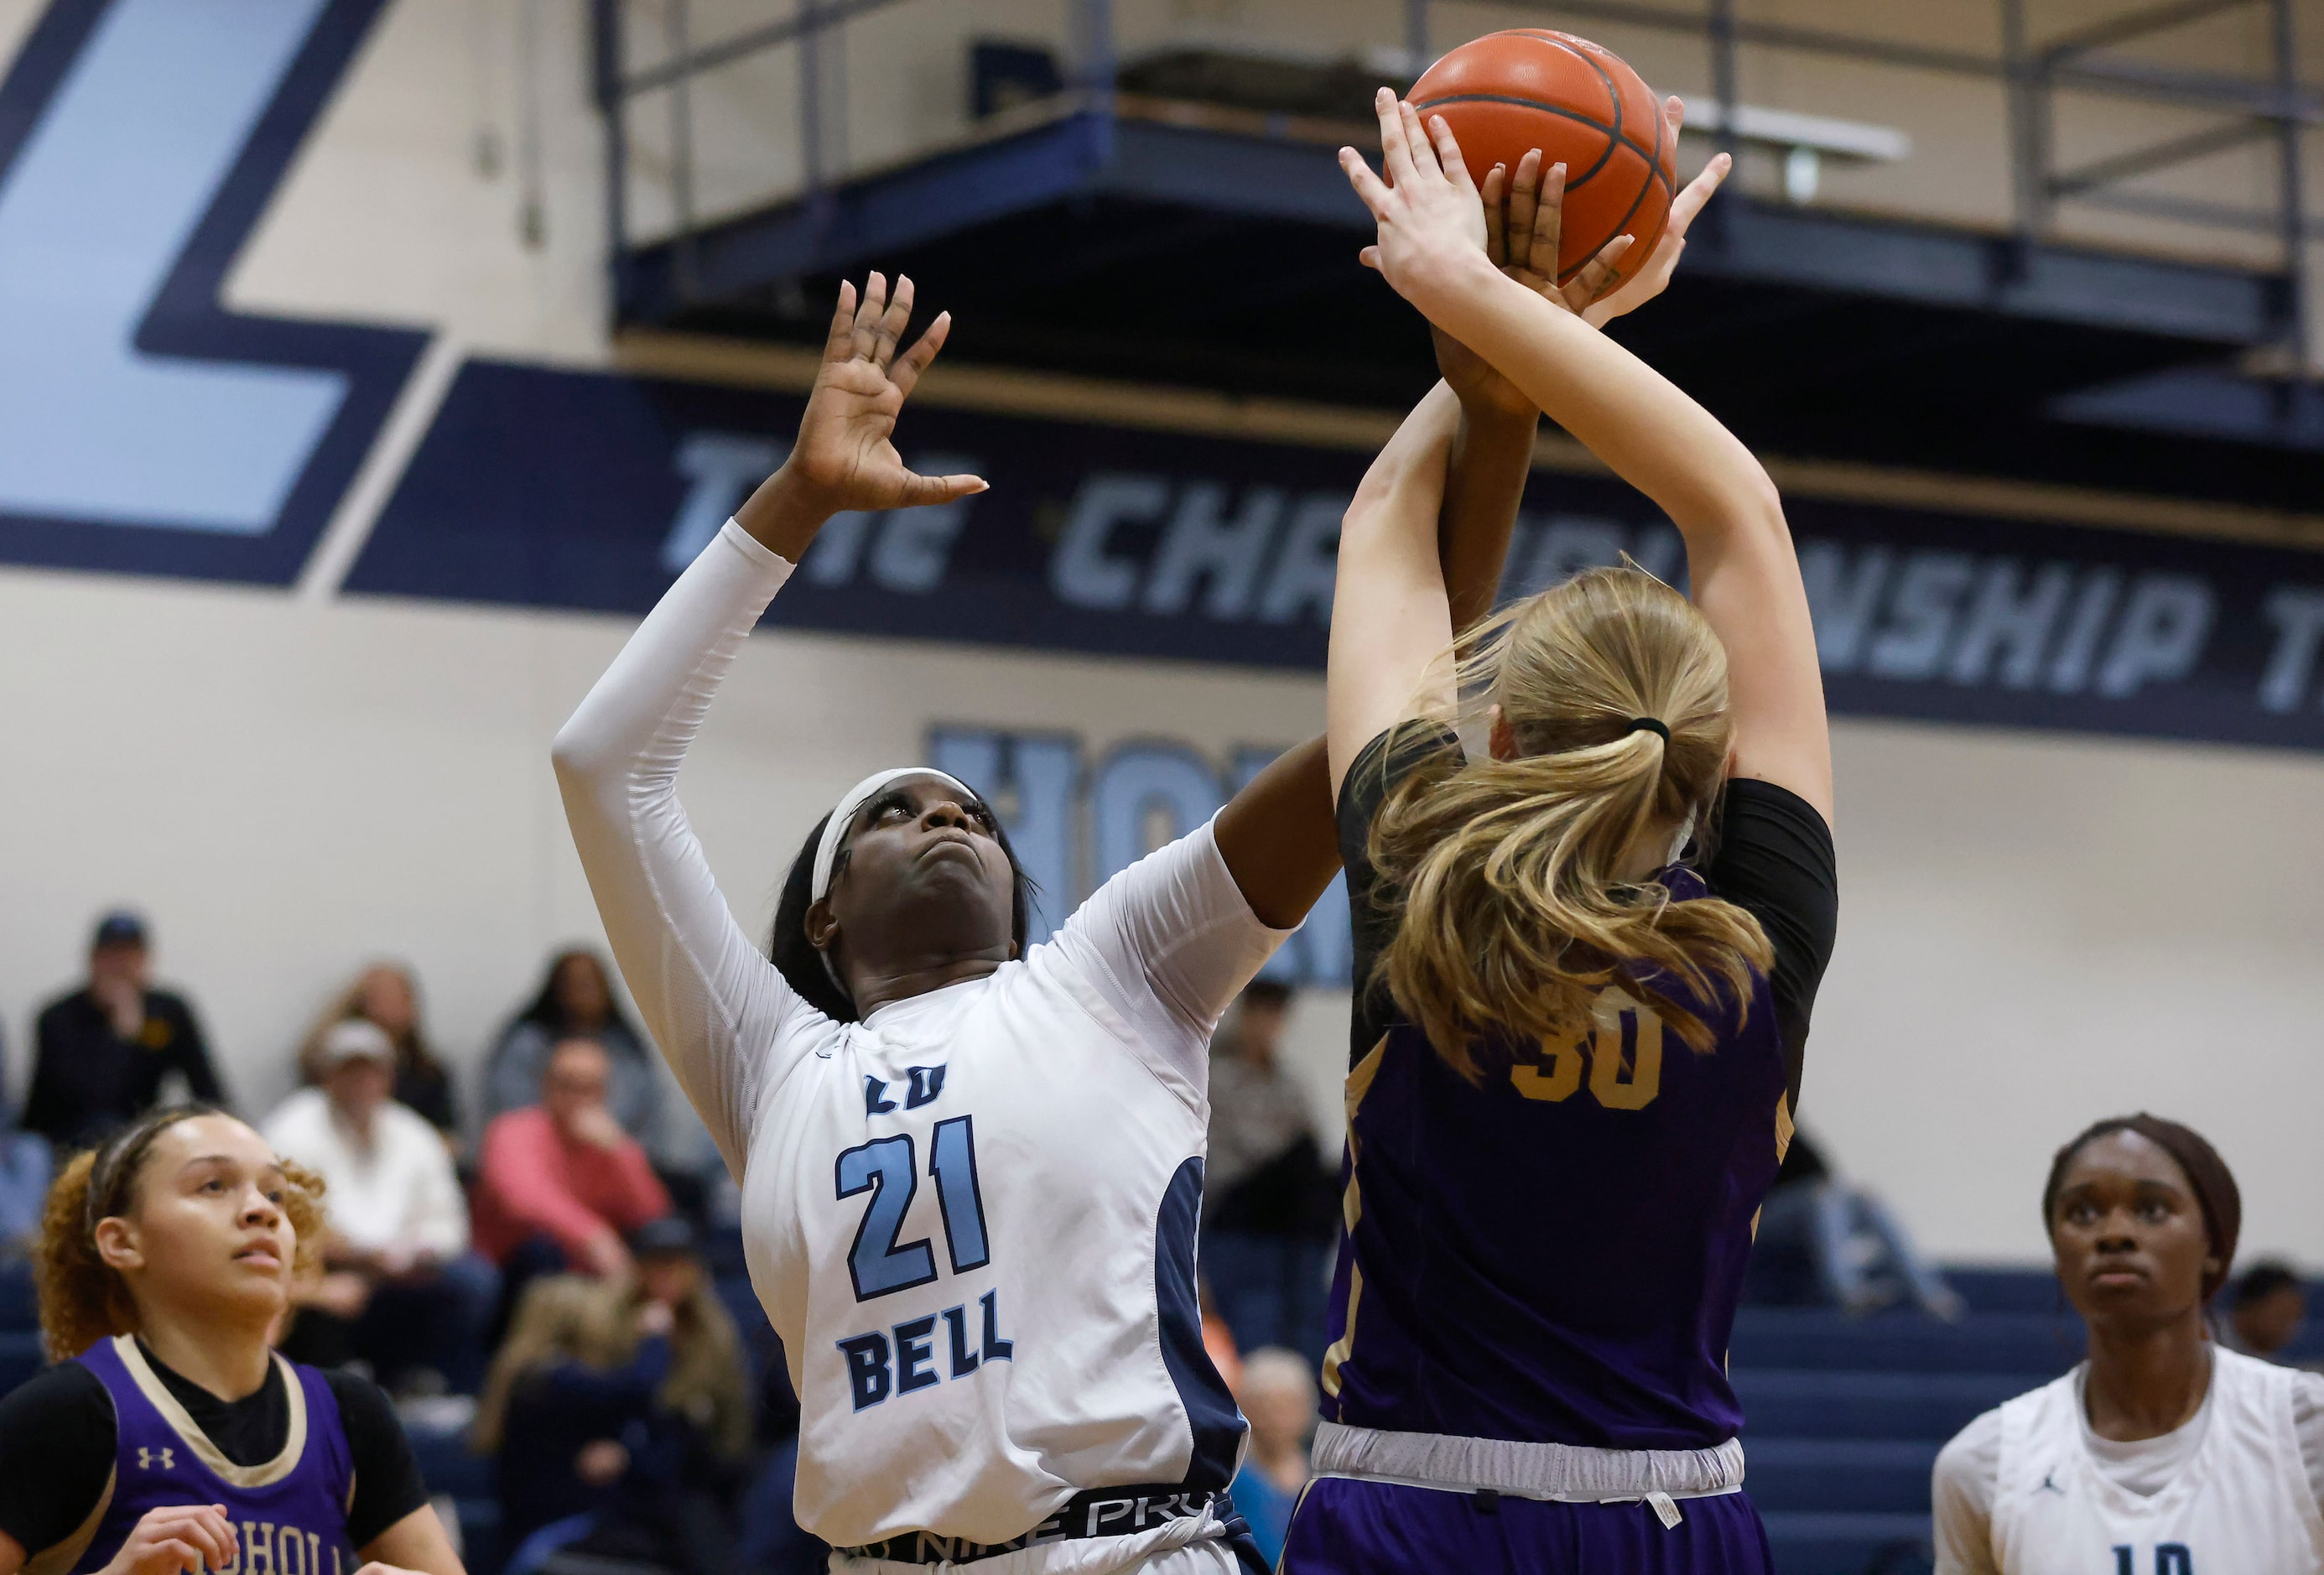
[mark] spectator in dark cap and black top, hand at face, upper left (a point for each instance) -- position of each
(106, 1049)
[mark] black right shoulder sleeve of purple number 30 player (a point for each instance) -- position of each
(1774, 858)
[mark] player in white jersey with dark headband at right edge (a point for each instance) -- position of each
(2162, 1453)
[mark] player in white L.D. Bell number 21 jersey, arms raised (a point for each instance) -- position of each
(970, 1172)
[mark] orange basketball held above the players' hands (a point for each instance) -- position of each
(1581, 106)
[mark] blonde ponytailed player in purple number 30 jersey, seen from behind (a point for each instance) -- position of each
(1575, 1058)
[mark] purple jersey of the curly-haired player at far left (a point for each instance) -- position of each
(289, 1513)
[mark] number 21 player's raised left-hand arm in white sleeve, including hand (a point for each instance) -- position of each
(712, 1000)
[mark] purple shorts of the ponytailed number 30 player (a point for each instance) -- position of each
(1347, 1527)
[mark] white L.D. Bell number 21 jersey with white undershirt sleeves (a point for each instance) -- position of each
(970, 1216)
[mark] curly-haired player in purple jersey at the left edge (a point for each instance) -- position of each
(171, 1437)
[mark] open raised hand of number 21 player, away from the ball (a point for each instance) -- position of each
(847, 454)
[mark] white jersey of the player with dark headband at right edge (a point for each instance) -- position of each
(2228, 1495)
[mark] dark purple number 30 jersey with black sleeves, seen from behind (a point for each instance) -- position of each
(1558, 1256)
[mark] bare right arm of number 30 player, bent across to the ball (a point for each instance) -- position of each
(1740, 549)
